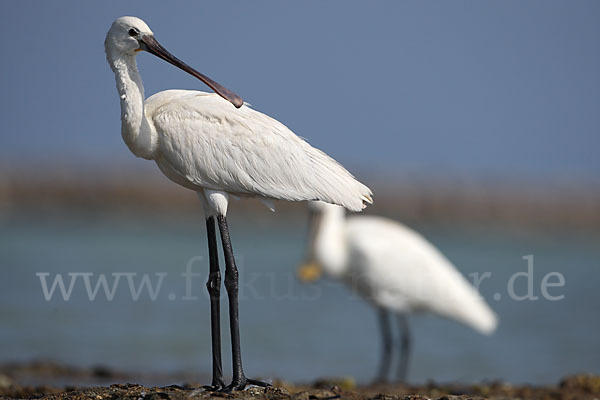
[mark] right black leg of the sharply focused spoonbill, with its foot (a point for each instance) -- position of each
(239, 381)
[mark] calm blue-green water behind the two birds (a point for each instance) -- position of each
(288, 330)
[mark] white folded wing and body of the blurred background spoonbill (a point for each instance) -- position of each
(405, 272)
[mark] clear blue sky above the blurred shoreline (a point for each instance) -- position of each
(509, 88)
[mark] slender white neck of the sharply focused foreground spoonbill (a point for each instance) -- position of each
(134, 127)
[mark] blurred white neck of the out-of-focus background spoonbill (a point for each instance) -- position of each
(330, 241)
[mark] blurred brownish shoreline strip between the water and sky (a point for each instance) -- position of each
(533, 204)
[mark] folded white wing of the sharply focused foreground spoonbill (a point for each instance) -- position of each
(215, 146)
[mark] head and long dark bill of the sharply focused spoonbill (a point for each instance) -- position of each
(130, 35)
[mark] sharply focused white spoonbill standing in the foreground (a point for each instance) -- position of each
(216, 145)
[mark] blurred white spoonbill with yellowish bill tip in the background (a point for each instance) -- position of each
(395, 269)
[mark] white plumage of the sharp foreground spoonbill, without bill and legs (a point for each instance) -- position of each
(201, 141)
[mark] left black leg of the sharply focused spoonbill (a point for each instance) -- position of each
(214, 290)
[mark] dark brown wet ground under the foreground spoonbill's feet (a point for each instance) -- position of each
(36, 381)
